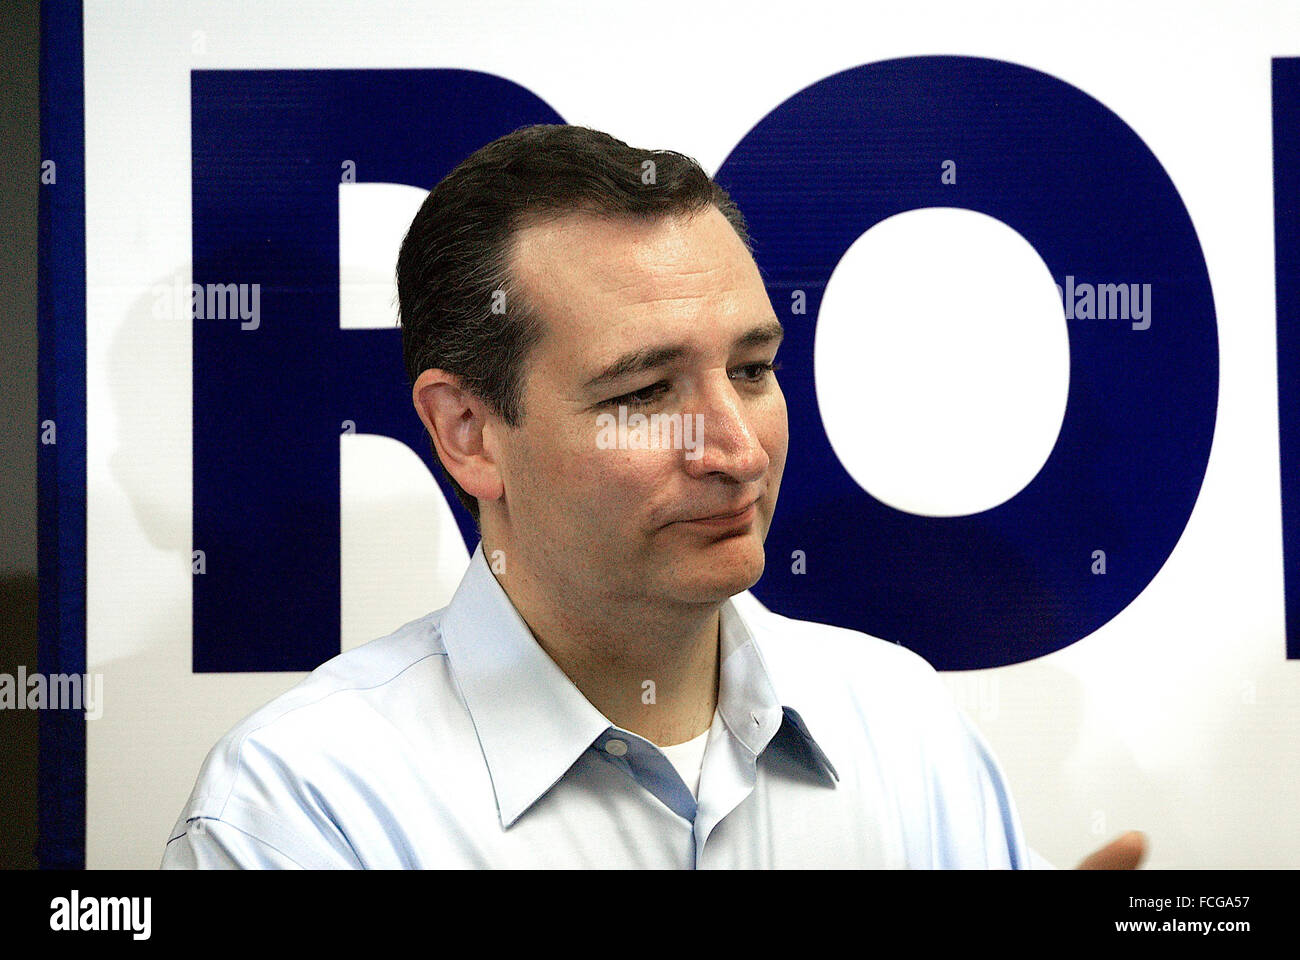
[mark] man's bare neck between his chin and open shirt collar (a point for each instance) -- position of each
(648, 668)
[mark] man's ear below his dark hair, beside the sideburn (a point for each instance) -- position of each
(456, 421)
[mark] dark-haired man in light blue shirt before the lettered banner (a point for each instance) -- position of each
(601, 691)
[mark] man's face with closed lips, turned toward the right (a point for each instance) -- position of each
(682, 305)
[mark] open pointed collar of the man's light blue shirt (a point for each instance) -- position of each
(534, 723)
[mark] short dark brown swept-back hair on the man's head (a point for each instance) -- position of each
(460, 308)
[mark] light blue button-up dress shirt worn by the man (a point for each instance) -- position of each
(457, 742)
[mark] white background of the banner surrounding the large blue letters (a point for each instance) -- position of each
(1177, 719)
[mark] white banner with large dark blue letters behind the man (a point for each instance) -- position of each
(1039, 271)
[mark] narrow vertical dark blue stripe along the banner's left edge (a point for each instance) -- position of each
(62, 466)
